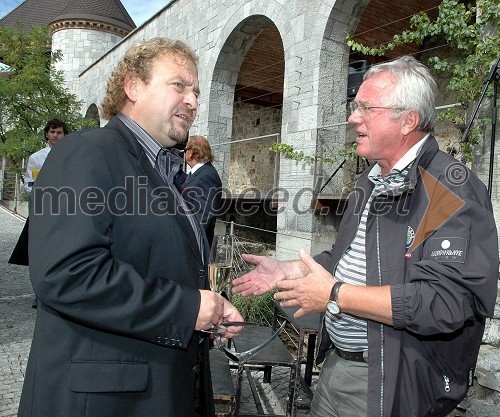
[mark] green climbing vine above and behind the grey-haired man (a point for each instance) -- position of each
(471, 31)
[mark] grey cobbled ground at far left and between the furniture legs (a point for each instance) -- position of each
(16, 330)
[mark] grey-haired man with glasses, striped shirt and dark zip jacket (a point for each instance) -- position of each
(413, 272)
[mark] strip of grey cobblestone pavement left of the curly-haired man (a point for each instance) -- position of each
(17, 318)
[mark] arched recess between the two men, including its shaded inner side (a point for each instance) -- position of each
(236, 99)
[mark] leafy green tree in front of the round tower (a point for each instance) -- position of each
(31, 93)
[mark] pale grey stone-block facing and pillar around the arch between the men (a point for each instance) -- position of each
(313, 93)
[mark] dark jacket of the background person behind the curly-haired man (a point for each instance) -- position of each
(202, 191)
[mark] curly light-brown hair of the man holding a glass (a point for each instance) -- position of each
(138, 62)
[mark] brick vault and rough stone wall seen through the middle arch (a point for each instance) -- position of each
(257, 113)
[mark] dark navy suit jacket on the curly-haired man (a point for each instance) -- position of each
(116, 270)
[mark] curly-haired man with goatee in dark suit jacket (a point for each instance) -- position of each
(117, 260)
